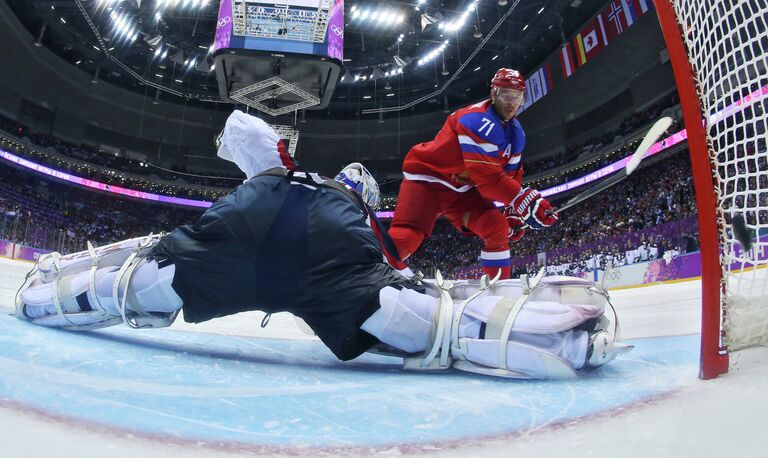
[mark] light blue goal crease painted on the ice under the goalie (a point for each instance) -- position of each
(284, 394)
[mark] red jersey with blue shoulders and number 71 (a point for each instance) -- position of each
(473, 149)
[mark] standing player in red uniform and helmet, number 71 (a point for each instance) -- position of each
(473, 161)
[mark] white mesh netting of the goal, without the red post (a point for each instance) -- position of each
(728, 50)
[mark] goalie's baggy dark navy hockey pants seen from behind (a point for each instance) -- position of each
(278, 244)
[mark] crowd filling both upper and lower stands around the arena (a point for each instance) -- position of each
(629, 224)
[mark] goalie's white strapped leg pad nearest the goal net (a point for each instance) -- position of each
(531, 335)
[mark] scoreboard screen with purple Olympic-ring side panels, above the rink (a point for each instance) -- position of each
(312, 27)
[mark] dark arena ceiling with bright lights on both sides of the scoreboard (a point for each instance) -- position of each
(160, 48)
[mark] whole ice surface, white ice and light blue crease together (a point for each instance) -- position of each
(228, 387)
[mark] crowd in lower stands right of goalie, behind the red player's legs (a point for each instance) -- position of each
(647, 216)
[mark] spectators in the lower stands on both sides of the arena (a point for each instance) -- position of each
(643, 218)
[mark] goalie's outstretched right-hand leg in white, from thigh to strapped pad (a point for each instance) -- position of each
(466, 331)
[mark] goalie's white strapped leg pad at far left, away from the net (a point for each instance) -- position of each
(100, 287)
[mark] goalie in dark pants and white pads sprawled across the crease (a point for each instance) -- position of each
(287, 240)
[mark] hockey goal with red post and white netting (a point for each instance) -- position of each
(719, 50)
